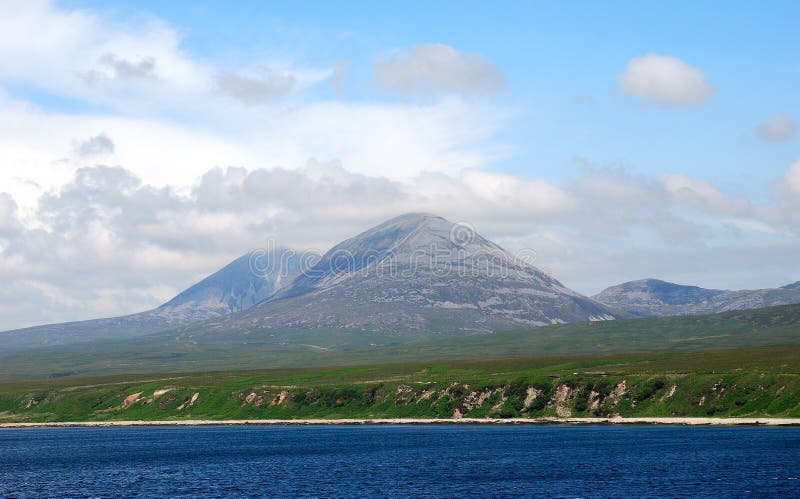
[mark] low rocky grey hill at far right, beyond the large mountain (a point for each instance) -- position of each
(652, 297)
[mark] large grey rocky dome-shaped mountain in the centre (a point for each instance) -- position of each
(417, 273)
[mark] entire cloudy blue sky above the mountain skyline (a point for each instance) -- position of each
(145, 144)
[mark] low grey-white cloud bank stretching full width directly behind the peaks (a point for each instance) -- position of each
(107, 243)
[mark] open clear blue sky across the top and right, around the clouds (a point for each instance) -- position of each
(552, 54)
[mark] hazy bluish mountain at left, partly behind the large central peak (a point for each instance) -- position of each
(233, 288)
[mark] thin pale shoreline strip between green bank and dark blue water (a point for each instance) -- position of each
(677, 421)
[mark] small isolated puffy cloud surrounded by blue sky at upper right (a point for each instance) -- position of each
(665, 80)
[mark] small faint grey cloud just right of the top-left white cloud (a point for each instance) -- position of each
(254, 90)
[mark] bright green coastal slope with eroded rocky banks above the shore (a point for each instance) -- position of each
(756, 382)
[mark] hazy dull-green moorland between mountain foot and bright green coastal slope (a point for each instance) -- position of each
(260, 349)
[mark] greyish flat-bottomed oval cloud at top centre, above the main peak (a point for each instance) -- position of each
(437, 68)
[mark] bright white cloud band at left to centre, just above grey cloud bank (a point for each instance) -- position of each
(393, 140)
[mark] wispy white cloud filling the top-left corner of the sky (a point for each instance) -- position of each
(88, 55)
